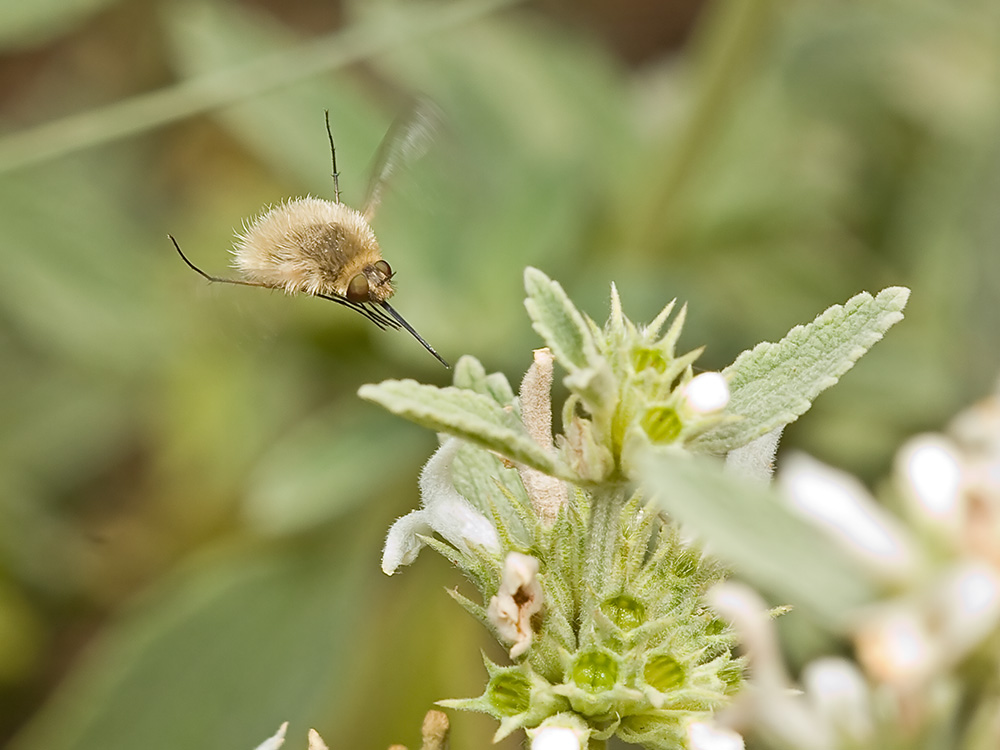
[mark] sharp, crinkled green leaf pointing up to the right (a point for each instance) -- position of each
(774, 384)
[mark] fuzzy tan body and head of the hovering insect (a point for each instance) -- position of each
(312, 246)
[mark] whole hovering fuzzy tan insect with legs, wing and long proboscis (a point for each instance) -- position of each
(326, 249)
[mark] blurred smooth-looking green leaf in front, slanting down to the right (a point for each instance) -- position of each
(755, 532)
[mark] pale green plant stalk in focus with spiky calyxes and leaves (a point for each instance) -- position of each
(596, 593)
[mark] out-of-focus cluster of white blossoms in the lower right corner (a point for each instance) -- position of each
(925, 653)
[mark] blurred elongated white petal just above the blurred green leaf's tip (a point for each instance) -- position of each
(840, 504)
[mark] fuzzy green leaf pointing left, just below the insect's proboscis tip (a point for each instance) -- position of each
(466, 414)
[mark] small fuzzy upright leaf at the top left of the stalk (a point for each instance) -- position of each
(558, 322)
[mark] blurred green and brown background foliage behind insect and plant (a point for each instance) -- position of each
(192, 499)
